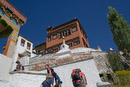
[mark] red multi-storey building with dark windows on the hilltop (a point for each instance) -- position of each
(73, 32)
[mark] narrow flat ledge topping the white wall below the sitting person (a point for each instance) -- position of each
(28, 72)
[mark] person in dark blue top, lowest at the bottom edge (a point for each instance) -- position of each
(48, 82)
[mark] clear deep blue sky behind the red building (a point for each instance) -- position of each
(92, 15)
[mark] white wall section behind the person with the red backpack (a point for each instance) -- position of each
(88, 67)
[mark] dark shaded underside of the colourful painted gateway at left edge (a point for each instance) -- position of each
(5, 29)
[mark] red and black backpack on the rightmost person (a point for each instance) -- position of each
(76, 75)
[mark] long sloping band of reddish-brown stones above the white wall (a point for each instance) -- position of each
(57, 62)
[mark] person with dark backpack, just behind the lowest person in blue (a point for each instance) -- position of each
(51, 72)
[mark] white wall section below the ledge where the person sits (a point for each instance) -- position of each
(26, 80)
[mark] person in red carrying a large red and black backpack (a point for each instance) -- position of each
(78, 78)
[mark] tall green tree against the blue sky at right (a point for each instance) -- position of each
(120, 30)
